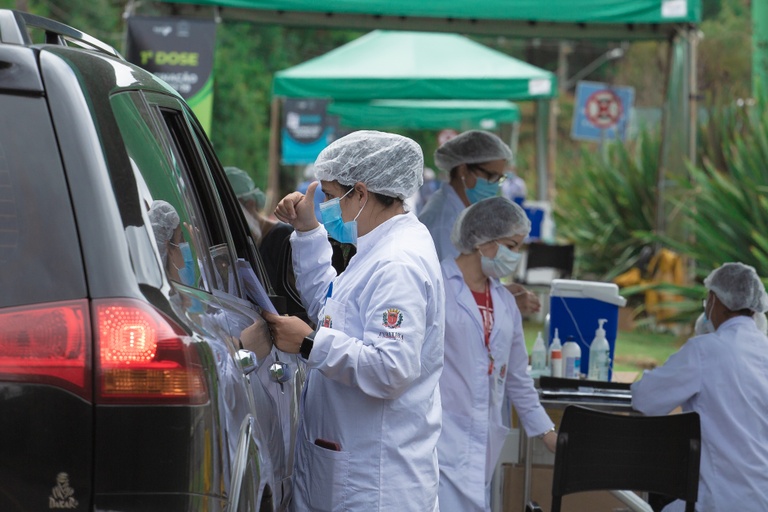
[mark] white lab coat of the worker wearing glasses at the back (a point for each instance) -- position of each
(439, 215)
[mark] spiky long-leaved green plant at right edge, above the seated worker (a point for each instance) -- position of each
(725, 205)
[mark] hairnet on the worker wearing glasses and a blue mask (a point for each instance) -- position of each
(472, 147)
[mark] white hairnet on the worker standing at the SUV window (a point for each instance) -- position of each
(388, 164)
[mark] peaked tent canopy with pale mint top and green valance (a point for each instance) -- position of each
(414, 65)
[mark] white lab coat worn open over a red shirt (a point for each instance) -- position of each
(473, 430)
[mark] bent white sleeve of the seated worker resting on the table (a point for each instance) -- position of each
(671, 384)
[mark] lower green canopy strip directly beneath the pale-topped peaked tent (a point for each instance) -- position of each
(425, 114)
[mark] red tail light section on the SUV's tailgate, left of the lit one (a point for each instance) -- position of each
(47, 344)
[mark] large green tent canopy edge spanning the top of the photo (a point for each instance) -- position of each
(555, 19)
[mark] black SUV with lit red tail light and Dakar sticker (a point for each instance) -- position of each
(126, 269)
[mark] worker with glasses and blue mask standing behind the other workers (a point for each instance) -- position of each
(477, 161)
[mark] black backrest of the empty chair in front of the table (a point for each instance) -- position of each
(598, 450)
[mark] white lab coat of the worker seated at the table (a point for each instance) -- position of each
(724, 377)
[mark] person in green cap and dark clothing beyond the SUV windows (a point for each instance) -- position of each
(272, 239)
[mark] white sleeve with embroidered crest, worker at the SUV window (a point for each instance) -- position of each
(388, 359)
